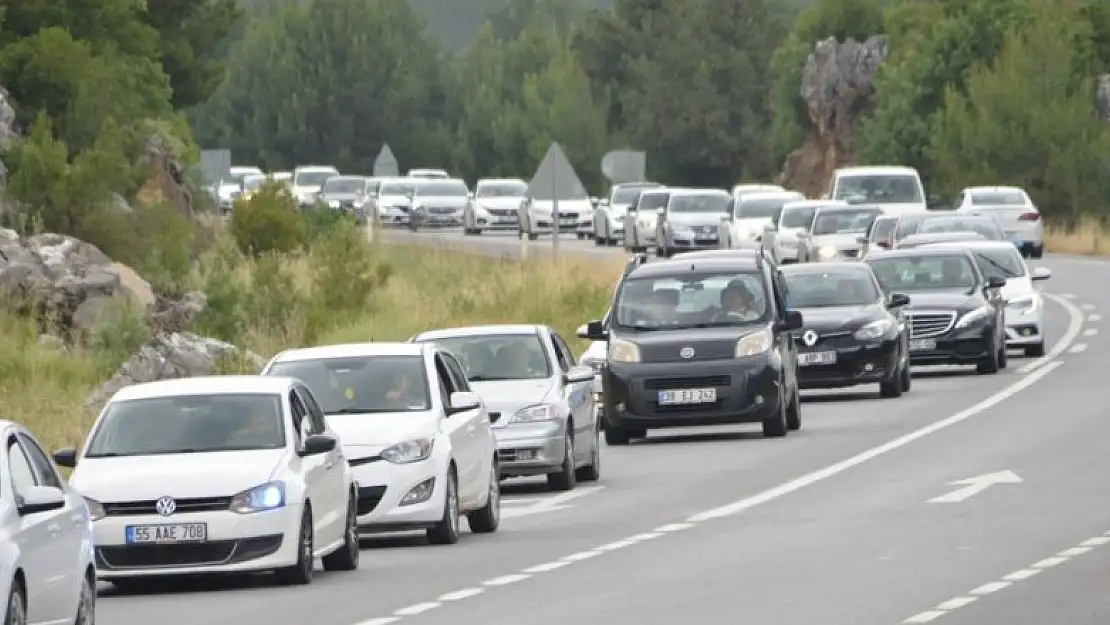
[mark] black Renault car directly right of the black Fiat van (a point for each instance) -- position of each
(853, 334)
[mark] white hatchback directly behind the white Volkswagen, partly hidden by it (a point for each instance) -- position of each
(419, 441)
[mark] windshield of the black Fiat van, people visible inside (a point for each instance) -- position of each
(699, 301)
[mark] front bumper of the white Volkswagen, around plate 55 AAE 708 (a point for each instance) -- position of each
(237, 543)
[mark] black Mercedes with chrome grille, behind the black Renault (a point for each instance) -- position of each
(956, 311)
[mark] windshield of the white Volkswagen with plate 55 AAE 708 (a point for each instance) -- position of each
(189, 425)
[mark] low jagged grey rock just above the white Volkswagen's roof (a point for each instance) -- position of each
(168, 357)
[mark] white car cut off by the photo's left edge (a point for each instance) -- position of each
(46, 538)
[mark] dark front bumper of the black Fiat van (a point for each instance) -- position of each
(748, 391)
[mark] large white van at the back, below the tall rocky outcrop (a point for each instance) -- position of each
(897, 190)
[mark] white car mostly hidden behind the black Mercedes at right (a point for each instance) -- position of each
(1025, 306)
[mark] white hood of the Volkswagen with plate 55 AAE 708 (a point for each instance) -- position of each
(179, 476)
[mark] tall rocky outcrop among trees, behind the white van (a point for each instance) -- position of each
(839, 90)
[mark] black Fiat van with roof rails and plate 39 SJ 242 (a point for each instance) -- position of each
(682, 354)
